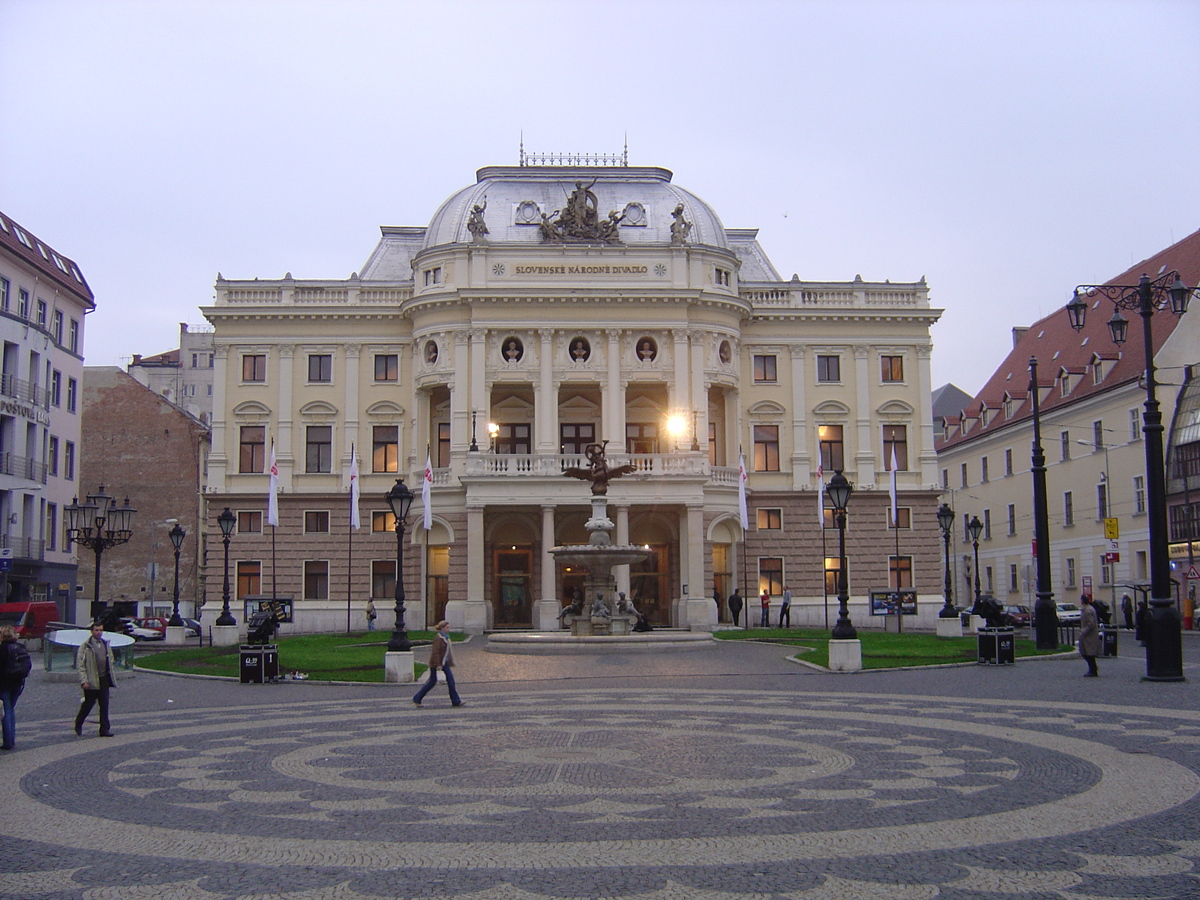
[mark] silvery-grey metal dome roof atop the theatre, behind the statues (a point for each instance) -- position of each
(518, 199)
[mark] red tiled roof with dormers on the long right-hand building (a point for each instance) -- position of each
(1059, 347)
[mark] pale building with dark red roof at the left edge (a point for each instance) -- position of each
(44, 299)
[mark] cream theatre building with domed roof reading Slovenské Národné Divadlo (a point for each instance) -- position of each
(543, 309)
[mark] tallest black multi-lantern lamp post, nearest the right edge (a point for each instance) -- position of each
(1165, 637)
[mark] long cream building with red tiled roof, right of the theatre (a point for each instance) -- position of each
(1091, 399)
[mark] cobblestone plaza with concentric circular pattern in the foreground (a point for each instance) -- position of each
(722, 773)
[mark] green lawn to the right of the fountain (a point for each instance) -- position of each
(881, 650)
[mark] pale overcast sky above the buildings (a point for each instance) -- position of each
(1004, 151)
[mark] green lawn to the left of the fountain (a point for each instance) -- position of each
(357, 657)
